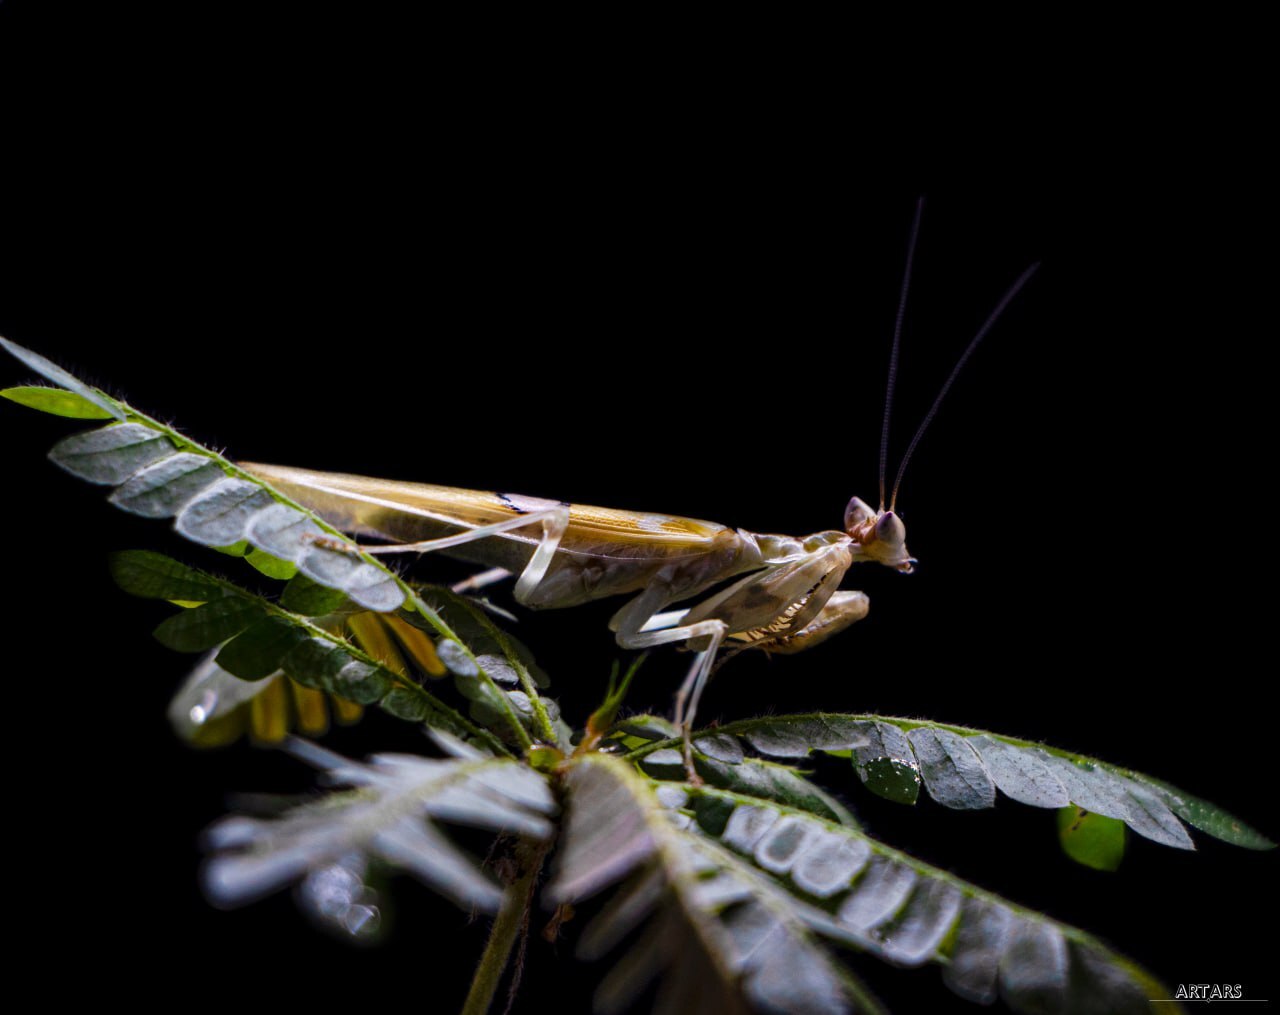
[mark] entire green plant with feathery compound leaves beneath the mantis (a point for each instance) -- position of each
(746, 888)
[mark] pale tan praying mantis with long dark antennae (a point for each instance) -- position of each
(787, 598)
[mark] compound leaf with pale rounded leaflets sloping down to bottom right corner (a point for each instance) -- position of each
(852, 889)
